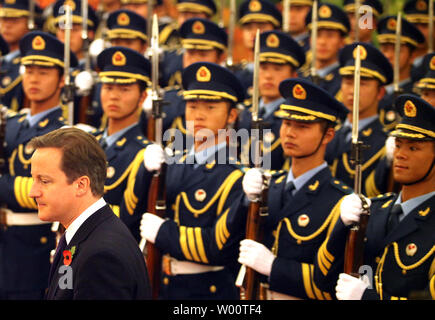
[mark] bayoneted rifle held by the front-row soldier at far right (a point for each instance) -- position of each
(354, 250)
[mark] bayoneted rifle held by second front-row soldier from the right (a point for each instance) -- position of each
(248, 279)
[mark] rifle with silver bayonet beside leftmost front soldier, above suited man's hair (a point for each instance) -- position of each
(69, 87)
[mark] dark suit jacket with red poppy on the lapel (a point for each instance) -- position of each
(106, 263)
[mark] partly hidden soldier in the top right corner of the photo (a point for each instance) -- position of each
(417, 12)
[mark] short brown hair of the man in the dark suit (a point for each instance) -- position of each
(82, 155)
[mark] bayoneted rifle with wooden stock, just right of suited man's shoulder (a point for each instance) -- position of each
(157, 192)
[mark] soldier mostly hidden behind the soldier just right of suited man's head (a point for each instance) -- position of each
(124, 28)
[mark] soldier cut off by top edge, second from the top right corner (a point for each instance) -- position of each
(369, 14)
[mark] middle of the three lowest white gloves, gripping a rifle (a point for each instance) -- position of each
(256, 256)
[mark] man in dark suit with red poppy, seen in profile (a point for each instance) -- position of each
(97, 257)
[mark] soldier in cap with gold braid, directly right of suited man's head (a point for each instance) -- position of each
(124, 76)
